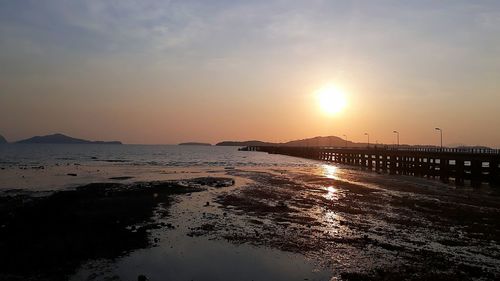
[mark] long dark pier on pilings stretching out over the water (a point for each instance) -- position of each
(475, 166)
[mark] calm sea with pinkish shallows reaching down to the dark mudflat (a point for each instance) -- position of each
(58, 166)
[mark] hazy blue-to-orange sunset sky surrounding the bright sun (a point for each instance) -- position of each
(163, 72)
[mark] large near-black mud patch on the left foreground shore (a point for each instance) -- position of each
(47, 236)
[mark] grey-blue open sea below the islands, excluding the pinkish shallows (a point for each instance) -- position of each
(138, 155)
